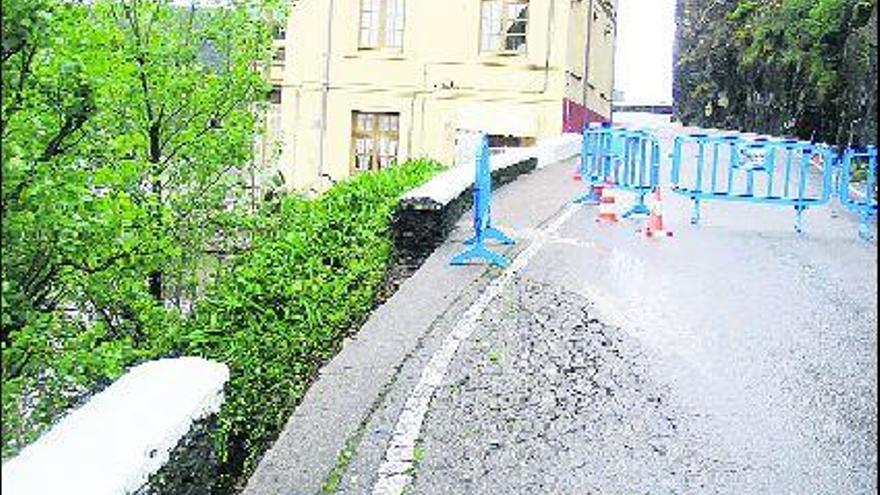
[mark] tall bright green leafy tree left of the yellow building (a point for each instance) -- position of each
(127, 128)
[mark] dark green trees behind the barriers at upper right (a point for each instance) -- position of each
(805, 68)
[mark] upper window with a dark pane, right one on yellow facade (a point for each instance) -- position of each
(503, 25)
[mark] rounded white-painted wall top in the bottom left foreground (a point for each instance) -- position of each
(113, 443)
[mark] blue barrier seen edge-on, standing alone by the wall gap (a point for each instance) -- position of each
(482, 215)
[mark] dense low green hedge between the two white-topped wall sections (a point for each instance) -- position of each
(282, 309)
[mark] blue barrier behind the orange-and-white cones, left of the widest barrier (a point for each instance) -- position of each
(627, 158)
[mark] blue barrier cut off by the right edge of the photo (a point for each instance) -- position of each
(865, 206)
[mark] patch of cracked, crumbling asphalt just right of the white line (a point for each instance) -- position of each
(540, 391)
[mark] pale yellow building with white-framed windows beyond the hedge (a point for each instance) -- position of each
(366, 83)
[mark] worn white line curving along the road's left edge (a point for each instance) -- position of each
(395, 472)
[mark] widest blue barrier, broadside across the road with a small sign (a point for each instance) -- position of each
(762, 170)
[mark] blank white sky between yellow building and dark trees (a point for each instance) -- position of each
(643, 65)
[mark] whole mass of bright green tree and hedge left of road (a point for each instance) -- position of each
(136, 226)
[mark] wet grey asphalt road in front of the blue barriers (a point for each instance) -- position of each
(736, 357)
